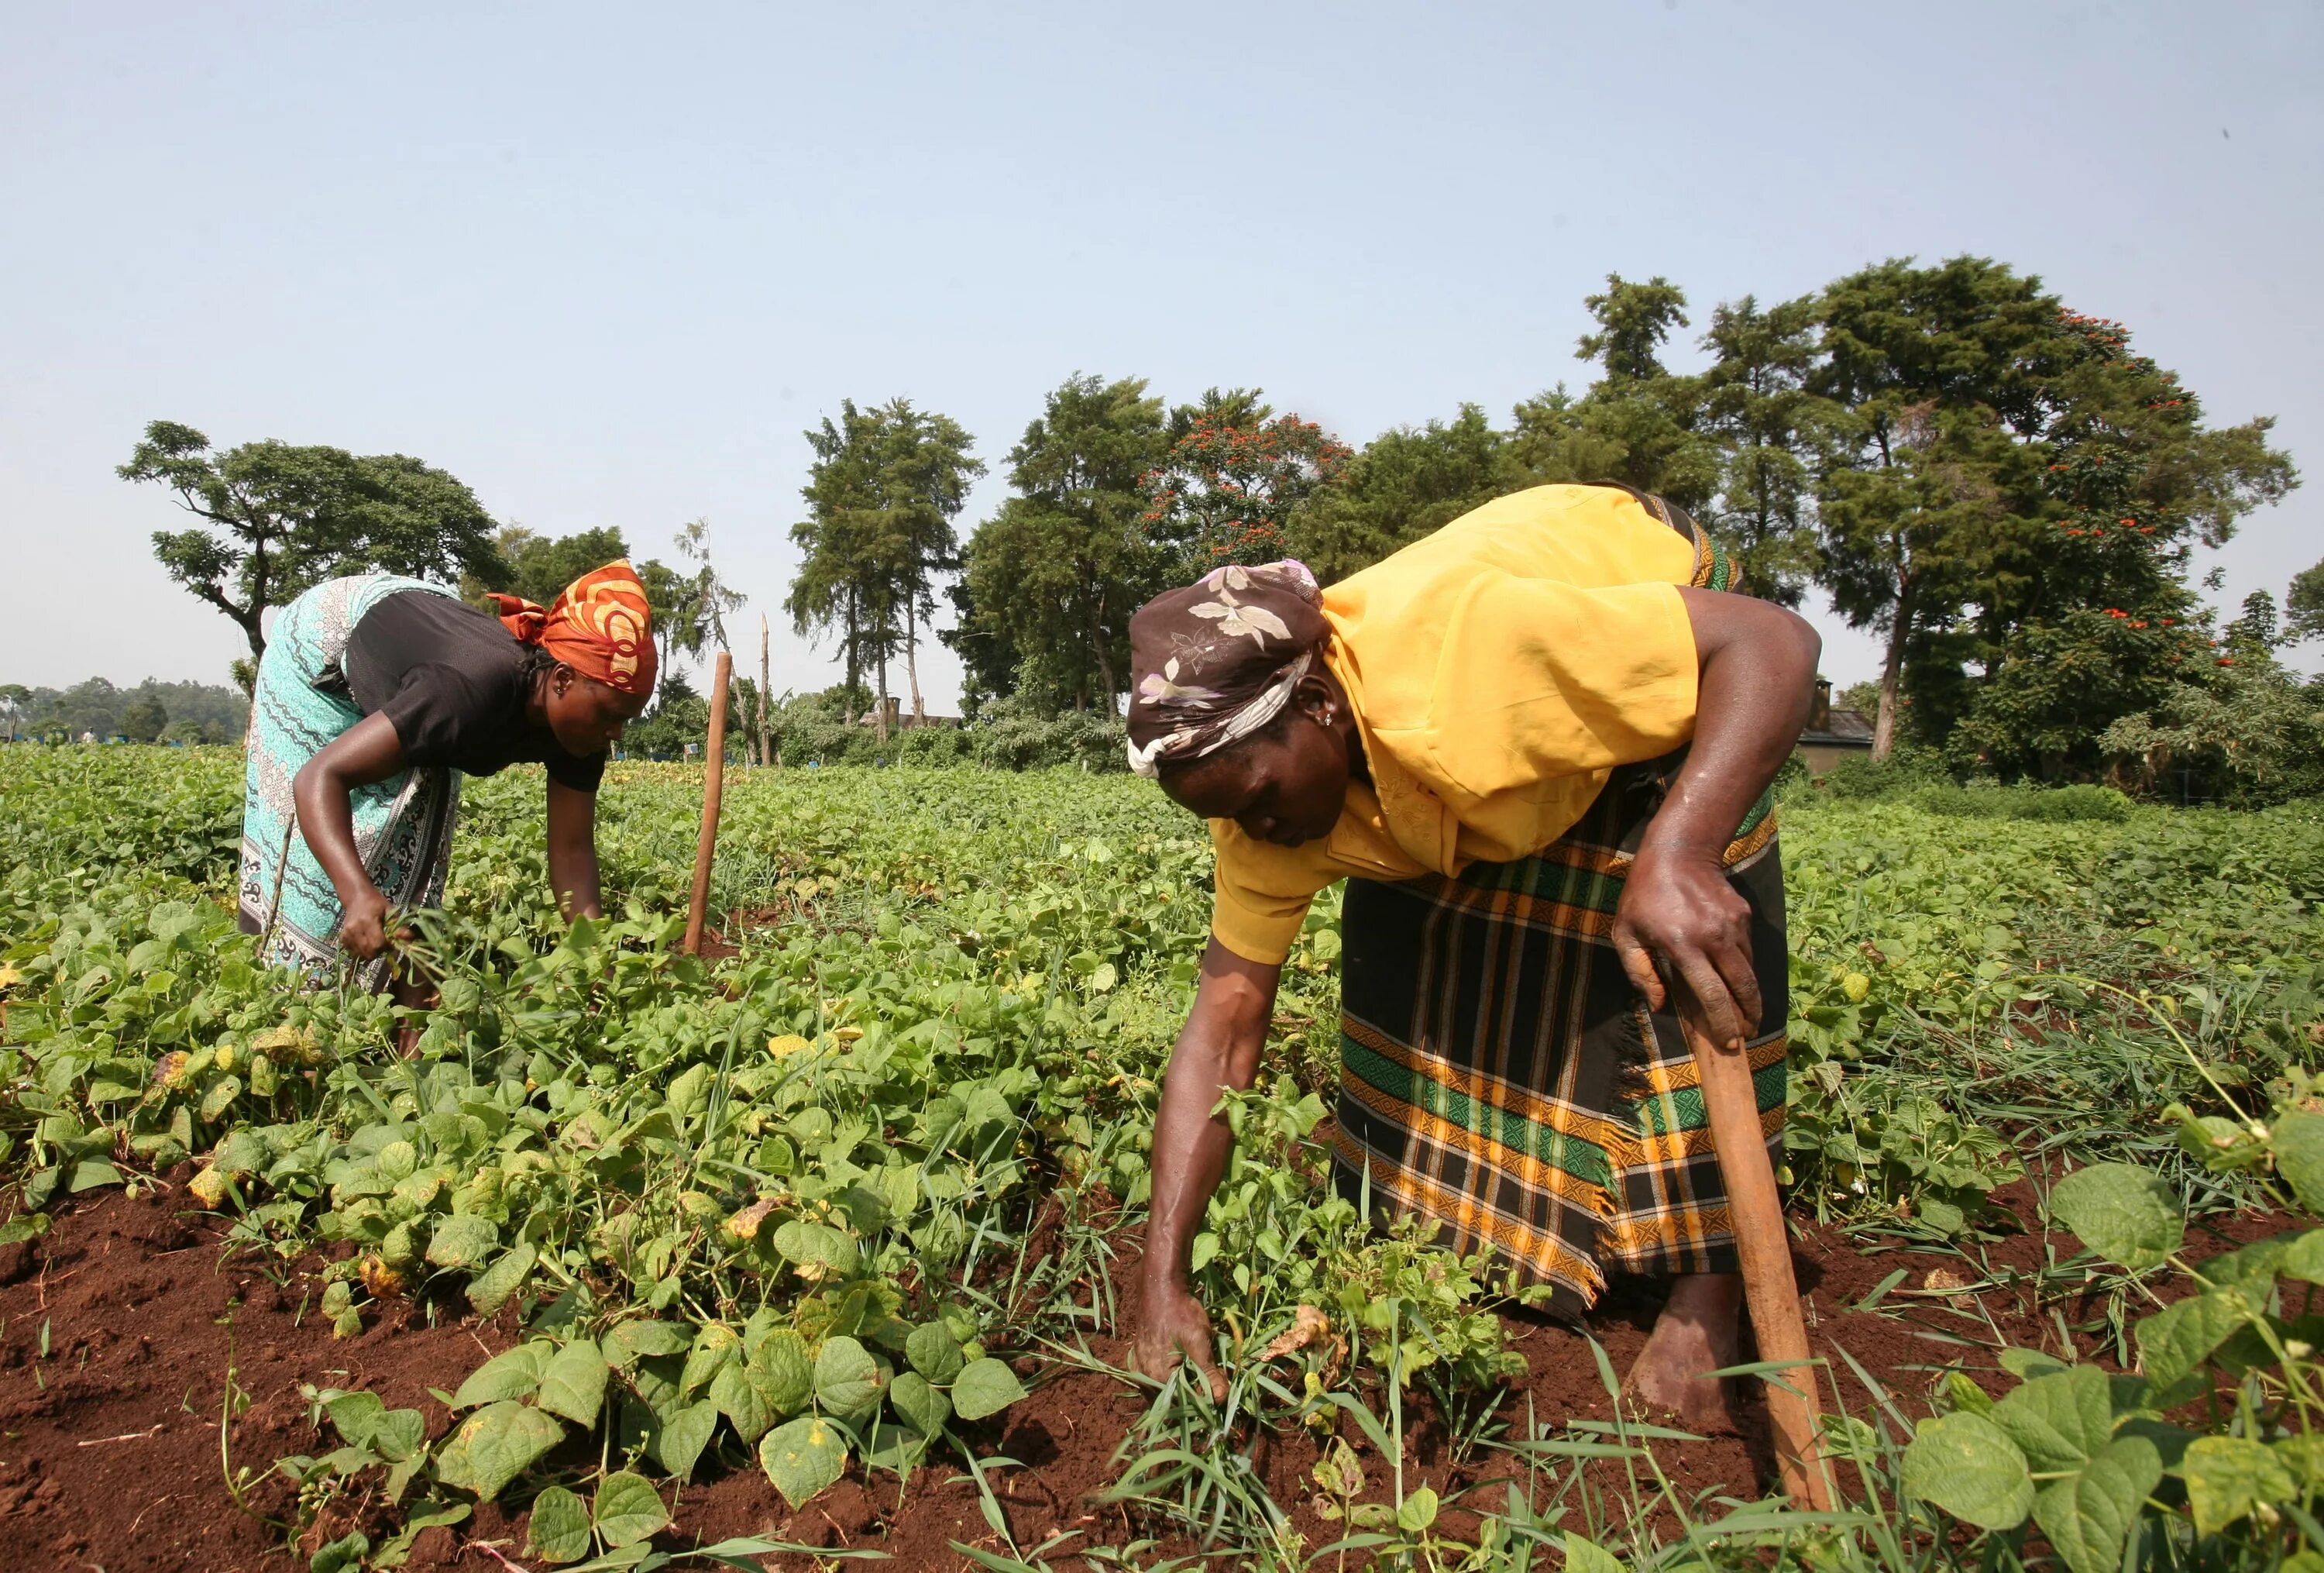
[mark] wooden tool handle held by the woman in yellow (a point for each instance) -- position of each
(1767, 1265)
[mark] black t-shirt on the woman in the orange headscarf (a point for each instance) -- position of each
(457, 687)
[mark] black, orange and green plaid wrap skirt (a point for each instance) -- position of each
(1502, 1077)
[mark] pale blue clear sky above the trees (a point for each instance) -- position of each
(605, 264)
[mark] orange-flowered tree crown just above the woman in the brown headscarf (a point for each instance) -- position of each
(1233, 475)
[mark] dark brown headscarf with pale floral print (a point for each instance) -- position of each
(1219, 661)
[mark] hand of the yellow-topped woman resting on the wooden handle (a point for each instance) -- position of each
(1679, 910)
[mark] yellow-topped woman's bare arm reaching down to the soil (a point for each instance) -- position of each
(1219, 1049)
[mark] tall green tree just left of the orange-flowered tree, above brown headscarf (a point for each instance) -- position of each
(1056, 575)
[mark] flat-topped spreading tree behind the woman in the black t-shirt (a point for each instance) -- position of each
(280, 519)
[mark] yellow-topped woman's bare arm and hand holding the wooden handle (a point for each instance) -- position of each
(1758, 666)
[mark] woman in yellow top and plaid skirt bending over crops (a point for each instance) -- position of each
(1537, 747)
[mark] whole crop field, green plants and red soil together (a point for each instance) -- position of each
(819, 1247)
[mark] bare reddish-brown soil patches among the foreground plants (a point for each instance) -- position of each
(120, 1328)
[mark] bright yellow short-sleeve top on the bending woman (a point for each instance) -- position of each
(1498, 670)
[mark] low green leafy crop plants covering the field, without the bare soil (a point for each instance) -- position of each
(838, 1200)
